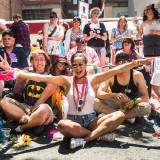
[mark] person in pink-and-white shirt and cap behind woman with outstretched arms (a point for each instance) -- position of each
(92, 57)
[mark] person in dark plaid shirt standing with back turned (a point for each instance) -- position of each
(21, 33)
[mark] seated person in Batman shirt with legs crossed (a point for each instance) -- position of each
(35, 112)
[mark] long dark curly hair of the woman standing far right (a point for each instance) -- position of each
(155, 12)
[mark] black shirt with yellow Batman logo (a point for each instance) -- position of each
(33, 91)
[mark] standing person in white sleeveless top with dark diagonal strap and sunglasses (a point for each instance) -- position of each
(52, 36)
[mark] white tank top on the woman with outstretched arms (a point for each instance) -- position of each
(88, 106)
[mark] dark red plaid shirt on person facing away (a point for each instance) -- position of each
(21, 34)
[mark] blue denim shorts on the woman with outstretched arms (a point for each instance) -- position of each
(83, 120)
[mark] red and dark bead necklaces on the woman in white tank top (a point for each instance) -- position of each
(80, 104)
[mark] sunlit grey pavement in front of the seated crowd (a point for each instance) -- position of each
(133, 142)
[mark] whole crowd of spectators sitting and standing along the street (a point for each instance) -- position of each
(68, 59)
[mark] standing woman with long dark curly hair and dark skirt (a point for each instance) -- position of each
(150, 29)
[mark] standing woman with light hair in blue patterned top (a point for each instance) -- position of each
(117, 35)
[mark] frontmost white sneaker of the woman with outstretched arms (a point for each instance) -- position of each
(76, 142)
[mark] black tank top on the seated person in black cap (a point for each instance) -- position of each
(131, 90)
